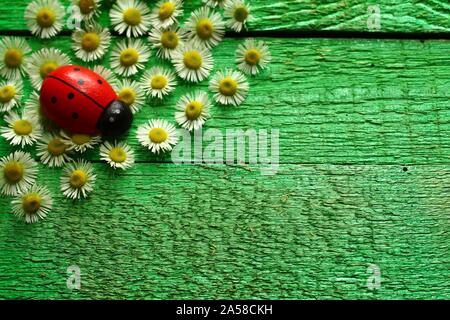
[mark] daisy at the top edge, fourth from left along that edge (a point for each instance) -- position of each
(165, 13)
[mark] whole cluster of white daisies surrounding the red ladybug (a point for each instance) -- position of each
(187, 48)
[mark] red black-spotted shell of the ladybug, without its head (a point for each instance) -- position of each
(74, 98)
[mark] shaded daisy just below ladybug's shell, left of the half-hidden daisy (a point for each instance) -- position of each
(52, 150)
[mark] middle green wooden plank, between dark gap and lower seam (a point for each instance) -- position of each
(333, 100)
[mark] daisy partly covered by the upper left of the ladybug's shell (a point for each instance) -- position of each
(43, 62)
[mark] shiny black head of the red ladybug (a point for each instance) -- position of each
(115, 120)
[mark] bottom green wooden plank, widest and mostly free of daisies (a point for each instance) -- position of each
(164, 231)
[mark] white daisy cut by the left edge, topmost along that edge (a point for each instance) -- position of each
(13, 52)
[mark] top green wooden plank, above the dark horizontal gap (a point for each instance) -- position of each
(349, 15)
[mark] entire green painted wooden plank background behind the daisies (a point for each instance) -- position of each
(364, 176)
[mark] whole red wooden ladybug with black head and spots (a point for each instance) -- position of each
(81, 101)
